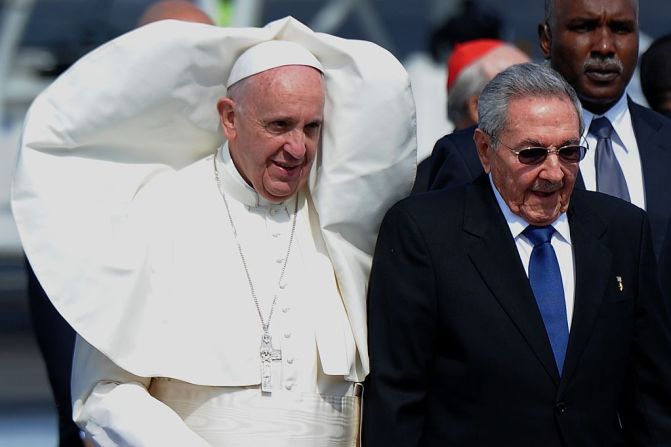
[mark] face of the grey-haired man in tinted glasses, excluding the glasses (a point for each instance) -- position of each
(537, 193)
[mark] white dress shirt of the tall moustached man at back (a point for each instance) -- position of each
(625, 149)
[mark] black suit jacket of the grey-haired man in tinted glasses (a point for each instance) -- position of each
(459, 353)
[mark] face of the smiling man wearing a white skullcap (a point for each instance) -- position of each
(273, 132)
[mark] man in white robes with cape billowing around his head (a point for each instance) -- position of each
(201, 205)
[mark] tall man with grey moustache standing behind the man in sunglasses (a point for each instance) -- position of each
(594, 45)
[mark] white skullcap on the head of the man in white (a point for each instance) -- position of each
(271, 55)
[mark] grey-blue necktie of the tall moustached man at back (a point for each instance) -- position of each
(609, 176)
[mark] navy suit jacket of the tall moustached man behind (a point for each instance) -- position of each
(454, 162)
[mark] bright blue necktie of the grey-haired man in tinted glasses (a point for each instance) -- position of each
(546, 283)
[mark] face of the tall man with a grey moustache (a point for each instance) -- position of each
(594, 45)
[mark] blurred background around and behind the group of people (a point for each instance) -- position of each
(39, 39)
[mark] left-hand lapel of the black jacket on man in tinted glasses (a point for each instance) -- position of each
(494, 254)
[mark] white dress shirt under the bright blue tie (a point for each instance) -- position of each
(561, 243)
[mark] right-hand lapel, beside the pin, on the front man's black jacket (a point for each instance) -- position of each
(592, 267)
